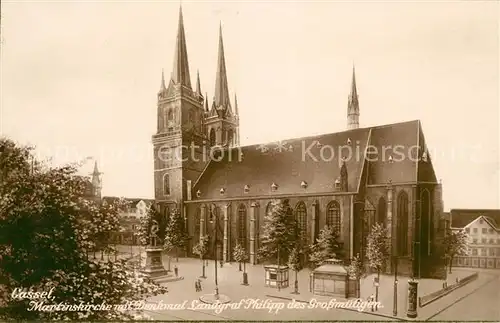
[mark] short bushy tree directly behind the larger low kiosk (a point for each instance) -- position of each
(327, 246)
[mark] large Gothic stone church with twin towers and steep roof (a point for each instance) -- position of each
(349, 179)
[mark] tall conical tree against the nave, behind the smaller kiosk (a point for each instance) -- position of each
(279, 232)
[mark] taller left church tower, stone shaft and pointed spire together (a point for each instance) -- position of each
(178, 145)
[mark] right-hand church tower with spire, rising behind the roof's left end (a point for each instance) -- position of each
(222, 123)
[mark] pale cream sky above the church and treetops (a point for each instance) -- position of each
(80, 78)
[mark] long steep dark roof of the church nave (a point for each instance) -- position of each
(262, 165)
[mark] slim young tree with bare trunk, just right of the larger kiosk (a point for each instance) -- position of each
(377, 249)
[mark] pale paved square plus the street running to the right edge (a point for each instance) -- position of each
(481, 304)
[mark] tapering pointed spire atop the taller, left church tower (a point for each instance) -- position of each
(180, 72)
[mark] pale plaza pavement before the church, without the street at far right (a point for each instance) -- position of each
(230, 279)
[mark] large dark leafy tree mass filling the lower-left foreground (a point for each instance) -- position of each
(58, 225)
